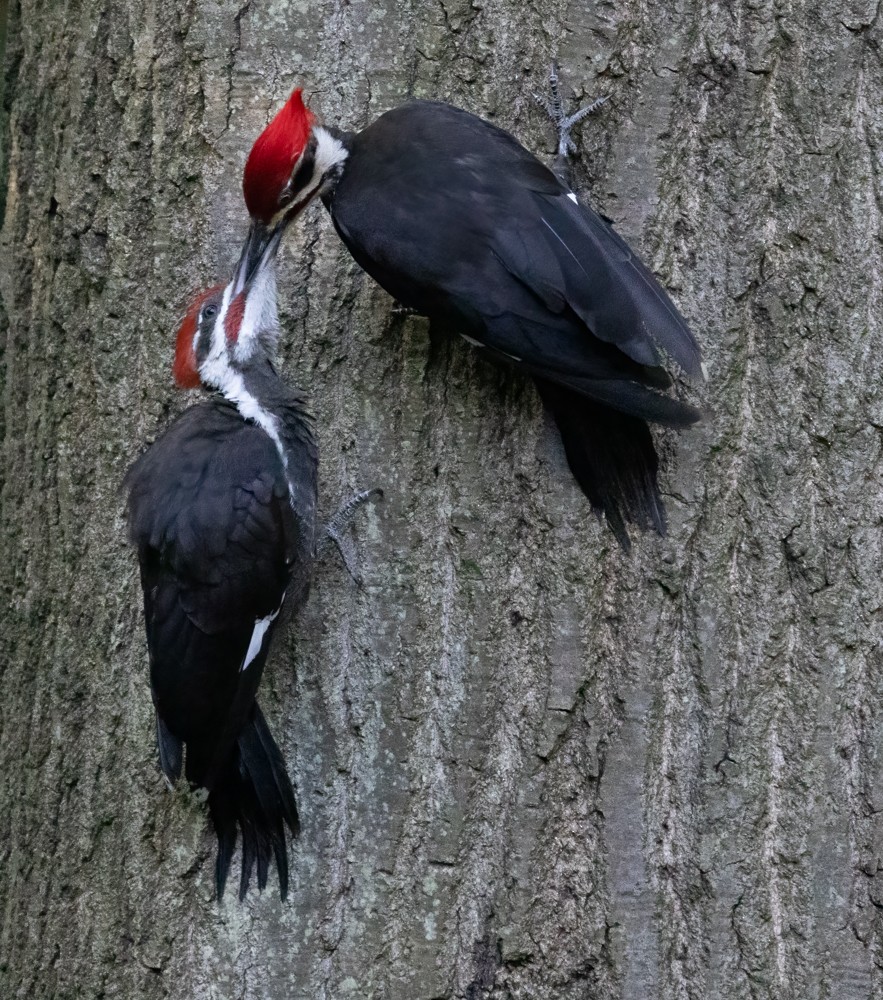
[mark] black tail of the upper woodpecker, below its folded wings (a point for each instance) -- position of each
(612, 457)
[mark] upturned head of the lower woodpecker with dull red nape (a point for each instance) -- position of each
(227, 327)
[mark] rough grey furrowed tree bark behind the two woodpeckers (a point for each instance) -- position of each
(528, 765)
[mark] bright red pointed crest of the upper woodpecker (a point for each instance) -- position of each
(272, 157)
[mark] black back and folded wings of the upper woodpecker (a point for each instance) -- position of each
(475, 227)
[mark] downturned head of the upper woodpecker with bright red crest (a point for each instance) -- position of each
(291, 162)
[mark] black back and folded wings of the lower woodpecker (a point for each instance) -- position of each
(210, 517)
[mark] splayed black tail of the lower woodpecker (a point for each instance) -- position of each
(254, 795)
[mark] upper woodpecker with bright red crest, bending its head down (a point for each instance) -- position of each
(453, 217)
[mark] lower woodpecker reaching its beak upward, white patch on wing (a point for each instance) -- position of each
(222, 510)
